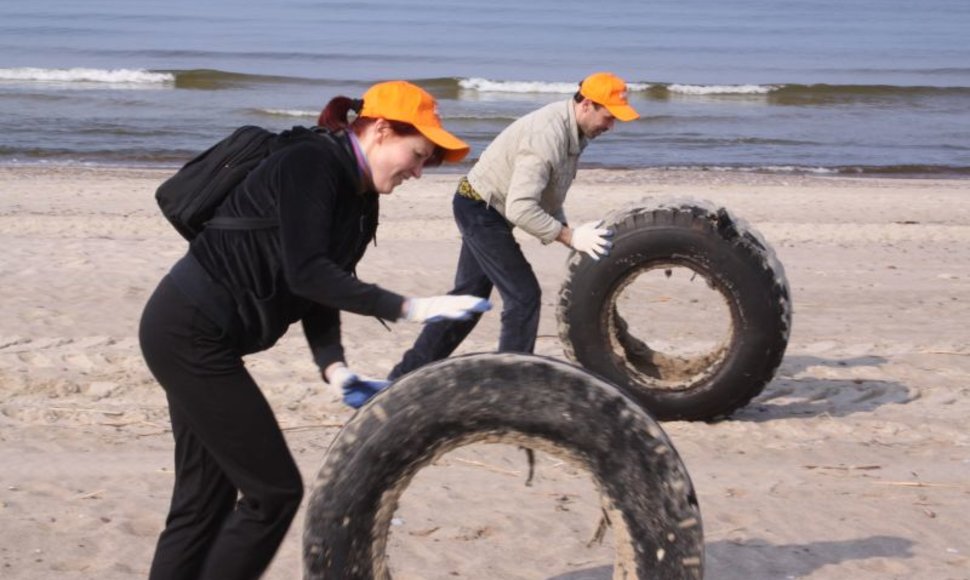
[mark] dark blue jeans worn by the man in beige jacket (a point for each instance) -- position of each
(490, 257)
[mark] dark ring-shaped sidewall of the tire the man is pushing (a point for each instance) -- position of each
(733, 268)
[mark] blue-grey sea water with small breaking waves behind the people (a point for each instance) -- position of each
(850, 86)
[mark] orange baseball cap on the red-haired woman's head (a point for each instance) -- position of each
(409, 103)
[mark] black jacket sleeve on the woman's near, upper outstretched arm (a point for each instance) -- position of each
(308, 182)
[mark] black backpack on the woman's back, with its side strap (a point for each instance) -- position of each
(190, 197)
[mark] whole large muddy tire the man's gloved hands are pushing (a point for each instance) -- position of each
(731, 257)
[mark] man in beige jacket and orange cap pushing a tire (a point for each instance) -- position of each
(521, 181)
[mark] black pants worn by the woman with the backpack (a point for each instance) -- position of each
(237, 487)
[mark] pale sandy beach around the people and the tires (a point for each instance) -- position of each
(853, 463)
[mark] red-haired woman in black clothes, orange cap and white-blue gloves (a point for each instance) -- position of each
(236, 292)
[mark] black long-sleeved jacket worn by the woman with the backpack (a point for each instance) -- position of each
(304, 268)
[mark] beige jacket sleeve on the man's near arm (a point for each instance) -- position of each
(531, 173)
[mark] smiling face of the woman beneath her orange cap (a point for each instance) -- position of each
(394, 158)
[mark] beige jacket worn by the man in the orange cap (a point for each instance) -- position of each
(525, 172)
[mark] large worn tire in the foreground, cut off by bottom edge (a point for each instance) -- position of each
(527, 400)
